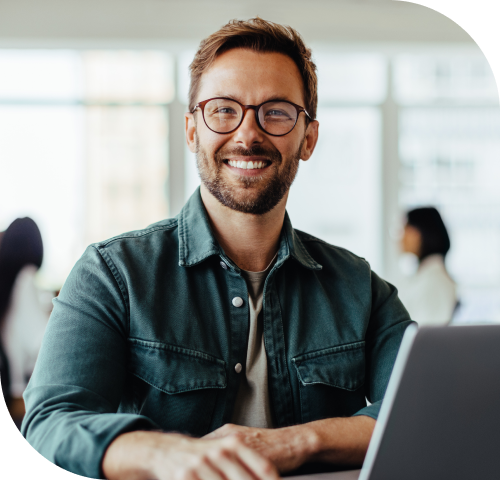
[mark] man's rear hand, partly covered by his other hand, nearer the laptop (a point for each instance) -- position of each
(287, 448)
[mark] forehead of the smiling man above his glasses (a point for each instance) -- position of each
(252, 77)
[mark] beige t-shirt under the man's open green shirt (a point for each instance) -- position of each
(252, 407)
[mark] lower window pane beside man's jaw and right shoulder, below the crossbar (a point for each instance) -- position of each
(336, 195)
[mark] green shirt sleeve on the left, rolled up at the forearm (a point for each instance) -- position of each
(74, 393)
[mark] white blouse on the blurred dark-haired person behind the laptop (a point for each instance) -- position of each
(430, 295)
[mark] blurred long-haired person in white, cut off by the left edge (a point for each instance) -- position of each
(22, 318)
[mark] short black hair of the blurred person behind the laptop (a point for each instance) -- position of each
(429, 223)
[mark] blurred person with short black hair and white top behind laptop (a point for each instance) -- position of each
(430, 294)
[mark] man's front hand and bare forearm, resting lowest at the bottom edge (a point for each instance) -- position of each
(148, 455)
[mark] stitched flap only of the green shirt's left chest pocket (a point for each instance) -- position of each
(174, 369)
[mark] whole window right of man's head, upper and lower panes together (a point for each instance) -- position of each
(337, 194)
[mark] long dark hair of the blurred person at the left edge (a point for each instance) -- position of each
(21, 245)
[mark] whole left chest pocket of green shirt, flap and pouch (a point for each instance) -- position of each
(176, 387)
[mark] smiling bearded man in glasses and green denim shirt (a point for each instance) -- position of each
(221, 344)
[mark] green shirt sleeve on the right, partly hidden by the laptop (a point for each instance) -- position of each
(388, 322)
